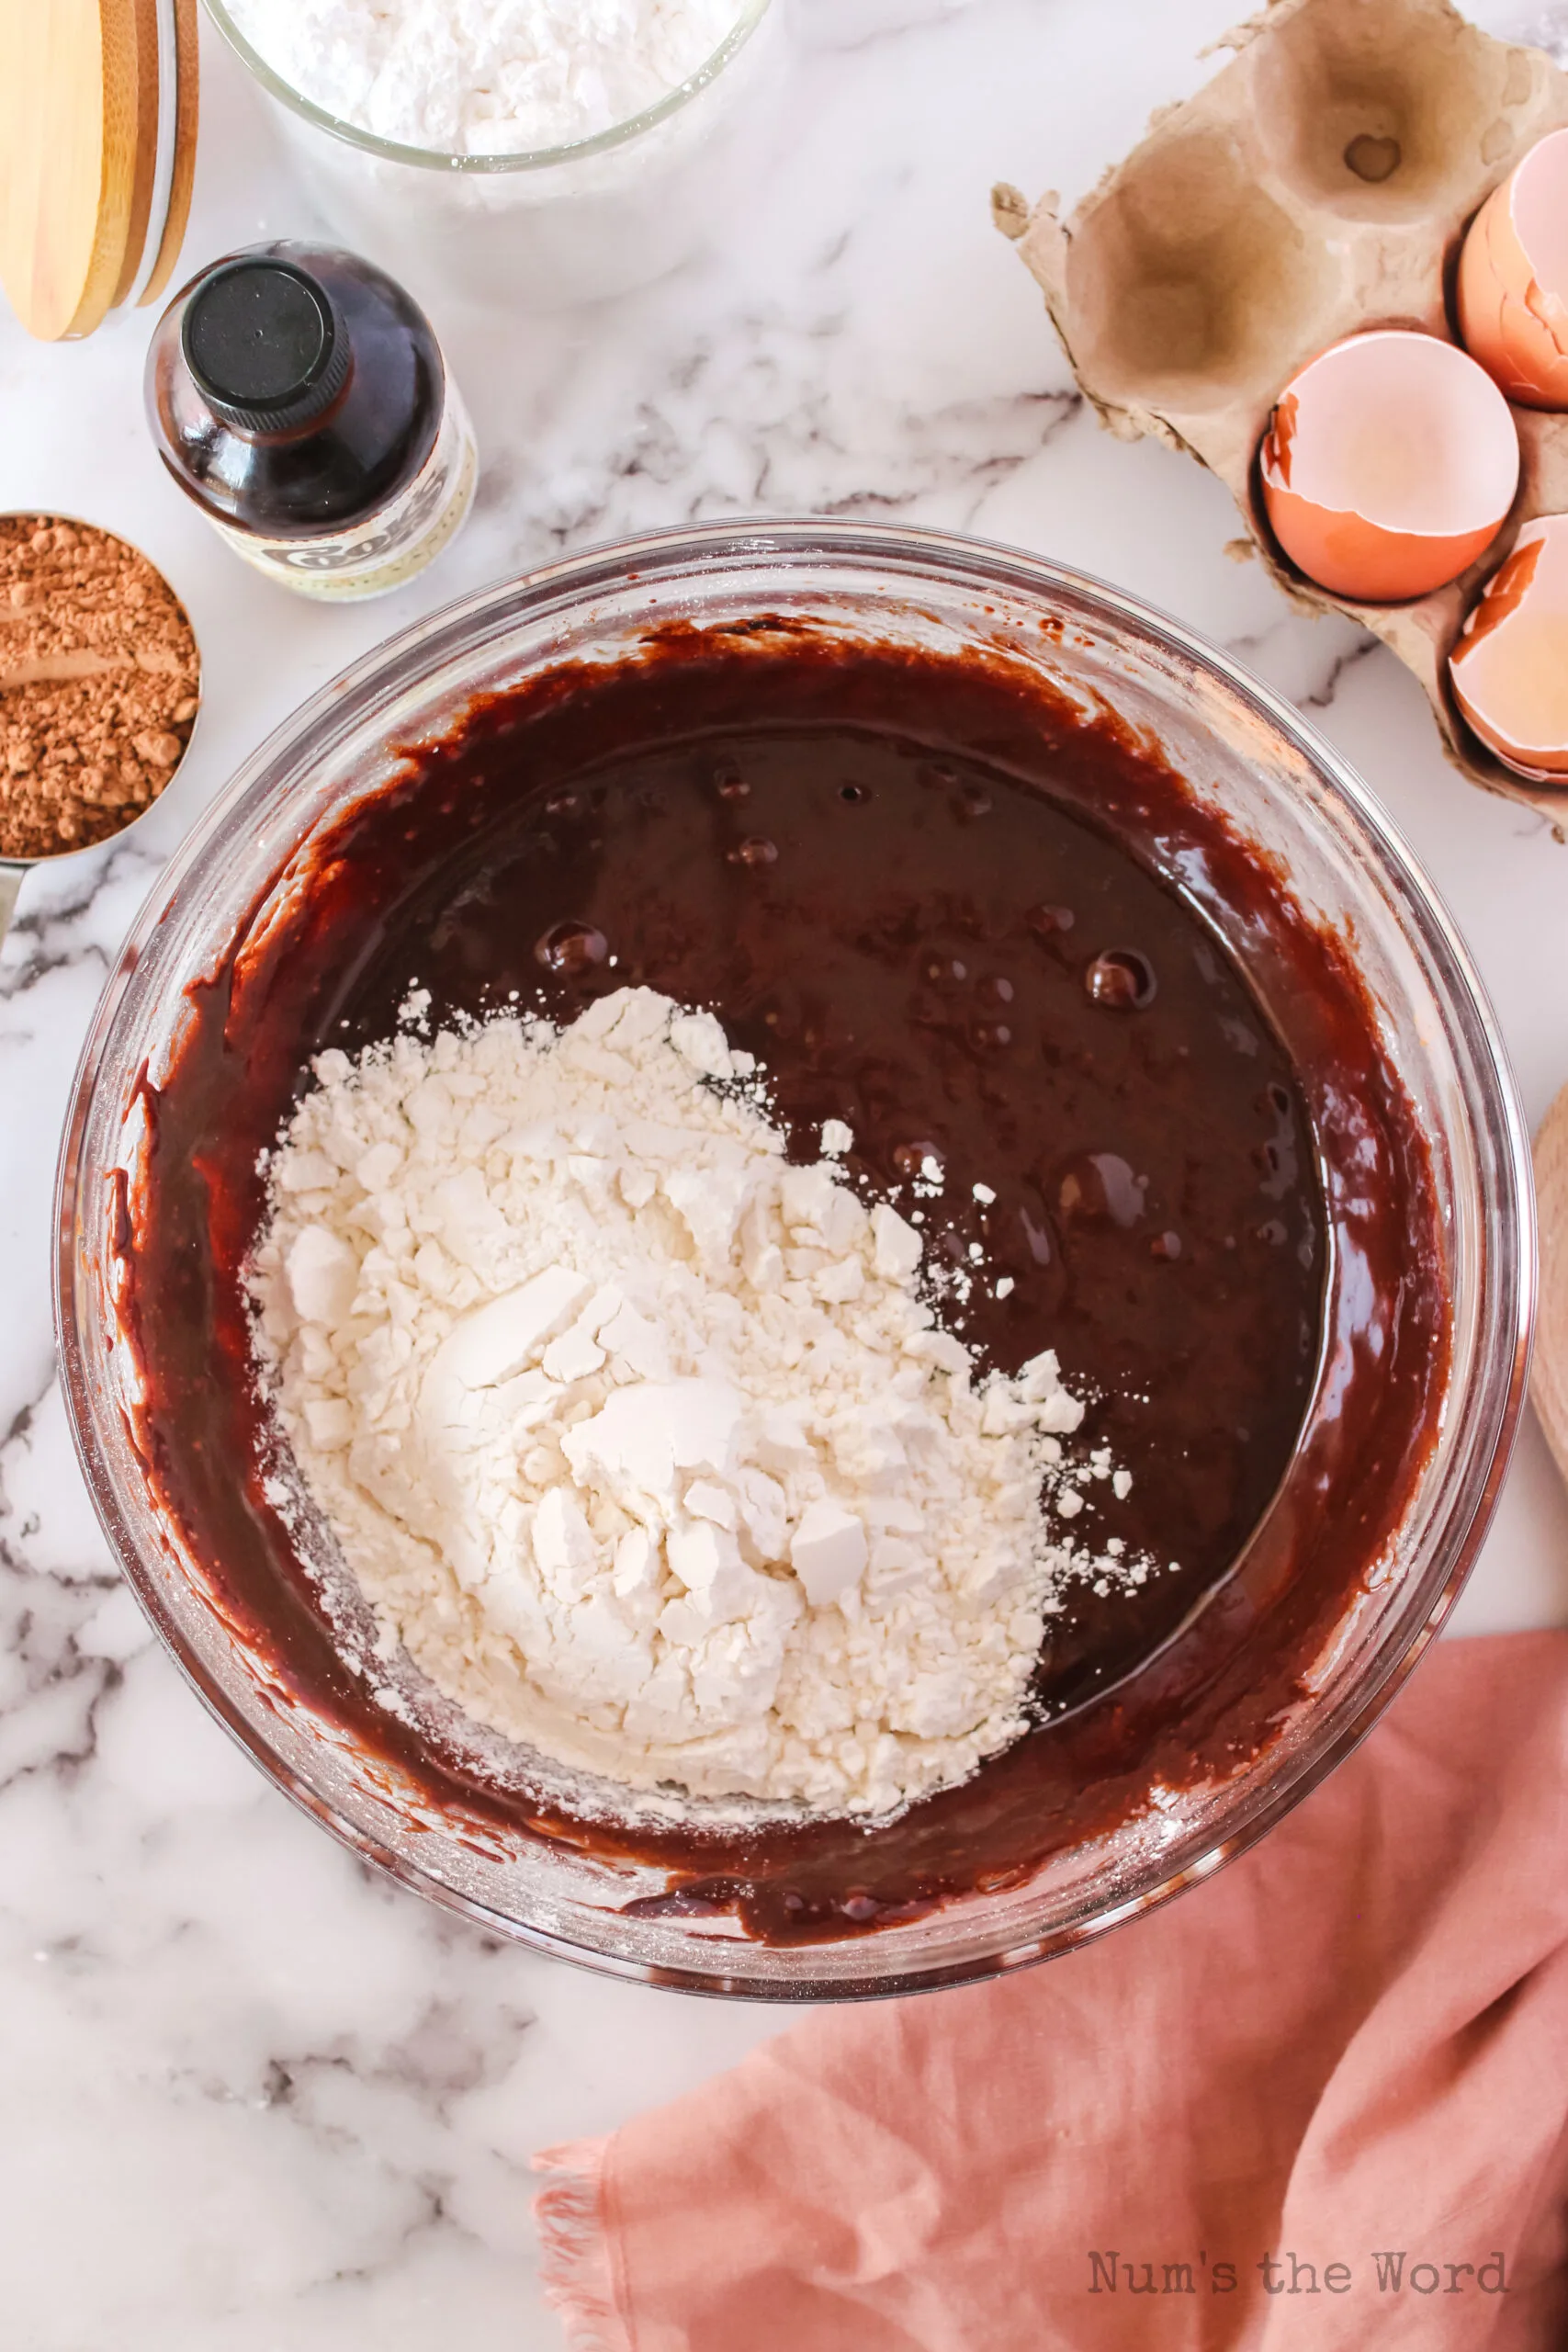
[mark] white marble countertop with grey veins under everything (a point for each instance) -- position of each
(260, 2102)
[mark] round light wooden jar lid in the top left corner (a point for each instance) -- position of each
(98, 154)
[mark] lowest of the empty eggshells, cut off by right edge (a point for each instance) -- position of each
(1510, 667)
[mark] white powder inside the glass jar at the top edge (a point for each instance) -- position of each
(485, 76)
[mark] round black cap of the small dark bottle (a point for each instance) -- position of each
(264, 345)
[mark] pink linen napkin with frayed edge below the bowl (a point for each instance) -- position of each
(1322, 2104)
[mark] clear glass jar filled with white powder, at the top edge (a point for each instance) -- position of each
(532, 154)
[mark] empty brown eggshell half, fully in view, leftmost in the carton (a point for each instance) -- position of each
(1388, 467)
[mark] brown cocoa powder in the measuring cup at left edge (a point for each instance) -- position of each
(100, 686)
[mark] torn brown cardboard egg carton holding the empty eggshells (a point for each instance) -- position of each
(1320, 185)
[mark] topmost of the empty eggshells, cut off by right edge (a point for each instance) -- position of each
(1513, 283)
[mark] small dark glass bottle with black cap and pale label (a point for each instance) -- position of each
(304, 403)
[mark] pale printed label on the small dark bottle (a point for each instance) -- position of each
(398, 542)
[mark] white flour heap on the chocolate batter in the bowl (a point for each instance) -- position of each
(643, 1441)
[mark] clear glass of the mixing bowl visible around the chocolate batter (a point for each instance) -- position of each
(1242, 749)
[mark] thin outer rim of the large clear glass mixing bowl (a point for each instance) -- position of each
(906, 554)
